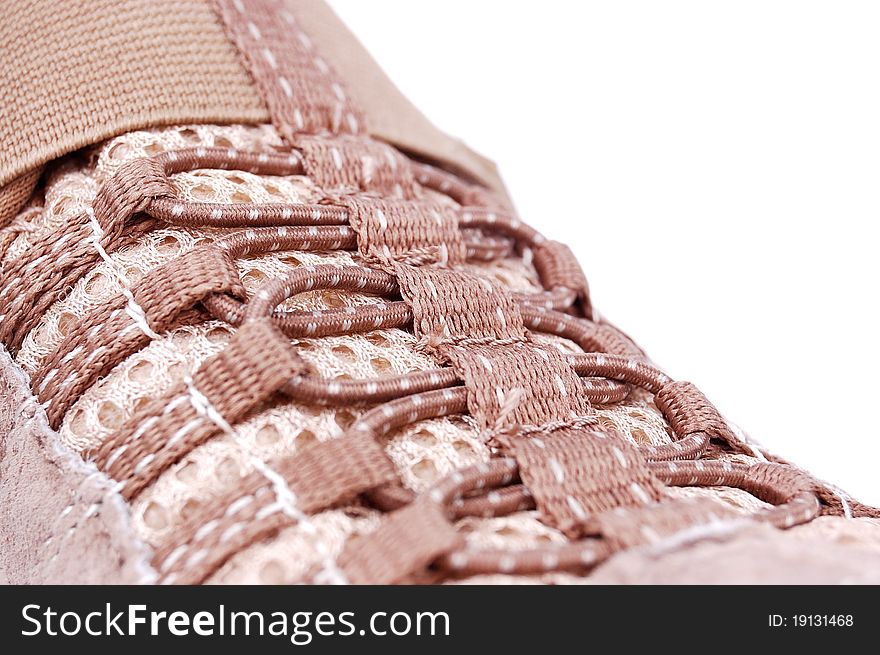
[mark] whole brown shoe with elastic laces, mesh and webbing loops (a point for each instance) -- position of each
(262, 322)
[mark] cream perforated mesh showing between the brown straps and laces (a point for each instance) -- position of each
(423, 453)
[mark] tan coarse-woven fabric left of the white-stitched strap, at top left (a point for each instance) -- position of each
(75, 72)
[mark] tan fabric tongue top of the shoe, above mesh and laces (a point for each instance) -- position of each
(71, 78)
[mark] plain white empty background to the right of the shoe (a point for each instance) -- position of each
(715, 167)
